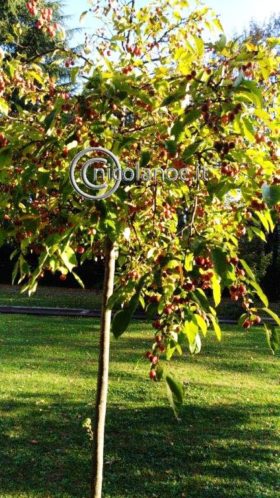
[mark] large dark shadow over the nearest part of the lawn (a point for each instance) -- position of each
(45, 451)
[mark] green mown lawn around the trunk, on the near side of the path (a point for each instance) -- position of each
(225, 446)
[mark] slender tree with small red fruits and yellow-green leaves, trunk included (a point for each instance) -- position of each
(157, 93)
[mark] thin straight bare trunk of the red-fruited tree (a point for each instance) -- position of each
(103, 374)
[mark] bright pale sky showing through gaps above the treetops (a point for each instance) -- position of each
(234, 14)
